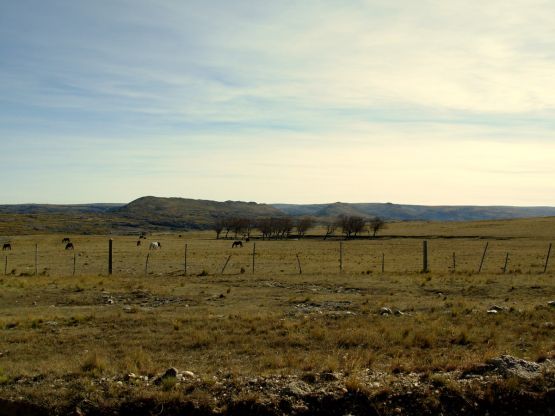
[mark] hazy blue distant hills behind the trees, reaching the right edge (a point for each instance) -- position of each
(401, 212)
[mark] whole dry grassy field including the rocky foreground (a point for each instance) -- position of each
(276, 341)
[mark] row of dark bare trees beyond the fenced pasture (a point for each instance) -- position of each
(351, 226)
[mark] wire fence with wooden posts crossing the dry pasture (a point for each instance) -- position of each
(181, 256)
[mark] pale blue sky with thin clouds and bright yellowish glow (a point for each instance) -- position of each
(419, 102)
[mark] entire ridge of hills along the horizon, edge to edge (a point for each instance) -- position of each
(168, 214)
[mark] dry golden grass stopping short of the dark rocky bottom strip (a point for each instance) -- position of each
(275, 321)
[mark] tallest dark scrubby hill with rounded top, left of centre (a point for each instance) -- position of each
(191, 213)
